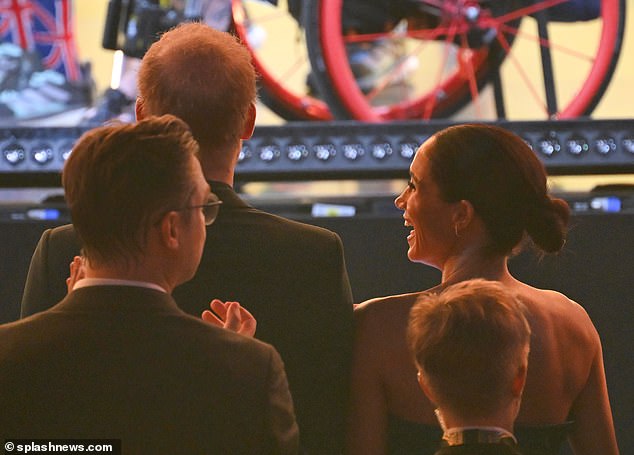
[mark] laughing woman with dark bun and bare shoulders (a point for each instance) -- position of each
(475, 194)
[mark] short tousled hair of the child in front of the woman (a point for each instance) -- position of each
(469, 342)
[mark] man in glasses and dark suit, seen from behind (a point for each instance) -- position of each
(117, 358)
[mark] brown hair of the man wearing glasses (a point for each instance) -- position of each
(119, 178)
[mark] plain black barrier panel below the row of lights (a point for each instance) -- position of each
(596, 269)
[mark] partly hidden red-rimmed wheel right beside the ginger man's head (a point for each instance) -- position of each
(276, 42)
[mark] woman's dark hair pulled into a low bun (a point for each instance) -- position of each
(501, 176)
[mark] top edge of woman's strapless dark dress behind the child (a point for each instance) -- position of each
(405, 437)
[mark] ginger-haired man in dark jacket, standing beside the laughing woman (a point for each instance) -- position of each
(290, 276)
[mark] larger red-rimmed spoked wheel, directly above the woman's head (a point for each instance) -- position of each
(461, 45)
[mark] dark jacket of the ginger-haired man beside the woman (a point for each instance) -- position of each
(290, 275)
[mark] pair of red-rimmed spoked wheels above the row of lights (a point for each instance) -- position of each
(442, 56)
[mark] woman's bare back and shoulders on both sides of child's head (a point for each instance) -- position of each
(565, 375)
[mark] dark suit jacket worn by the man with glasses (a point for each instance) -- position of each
(122, 362)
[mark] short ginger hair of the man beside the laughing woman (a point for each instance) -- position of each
(203, 76)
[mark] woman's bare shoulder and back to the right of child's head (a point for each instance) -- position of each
(566, 377)
